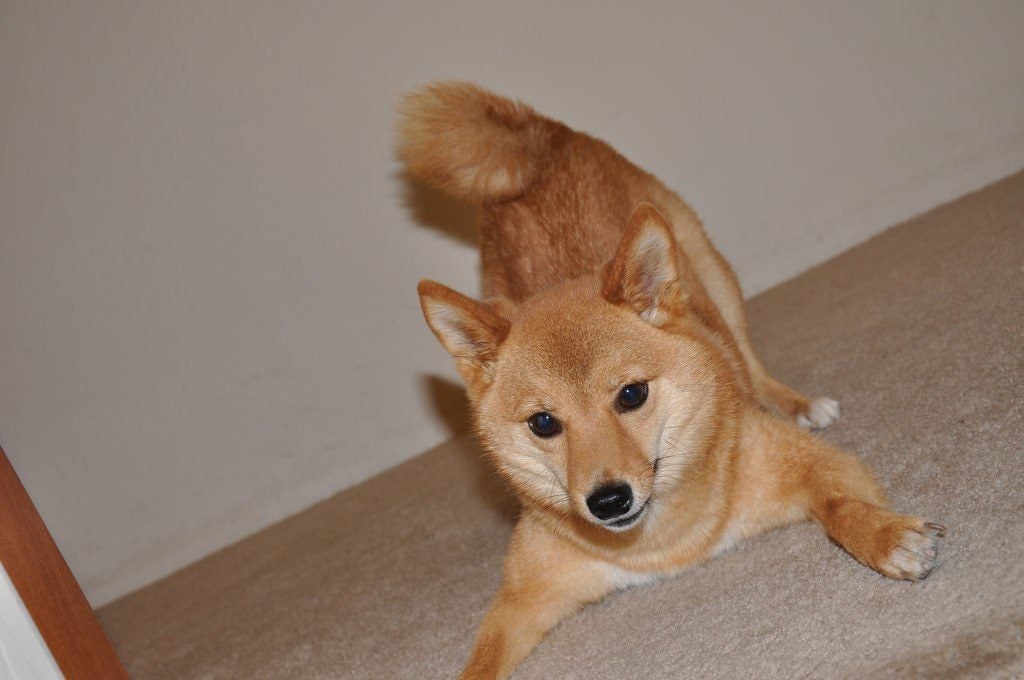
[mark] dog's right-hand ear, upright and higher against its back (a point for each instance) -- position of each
(645, 274)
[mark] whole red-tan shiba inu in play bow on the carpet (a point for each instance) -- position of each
(613, 379)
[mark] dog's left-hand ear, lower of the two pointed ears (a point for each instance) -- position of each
(471, 330)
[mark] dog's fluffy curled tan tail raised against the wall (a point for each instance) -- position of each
(470, 143)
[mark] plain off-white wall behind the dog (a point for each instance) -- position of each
(207, 309)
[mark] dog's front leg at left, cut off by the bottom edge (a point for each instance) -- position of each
(546, 580)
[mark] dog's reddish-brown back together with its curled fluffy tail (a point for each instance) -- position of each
(554, 202)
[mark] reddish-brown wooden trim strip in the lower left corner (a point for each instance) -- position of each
(49, 589)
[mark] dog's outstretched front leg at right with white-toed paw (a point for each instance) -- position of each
(796, 474)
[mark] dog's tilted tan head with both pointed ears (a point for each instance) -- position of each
(595, 398)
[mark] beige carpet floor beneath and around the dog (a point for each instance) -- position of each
(920, 333)
